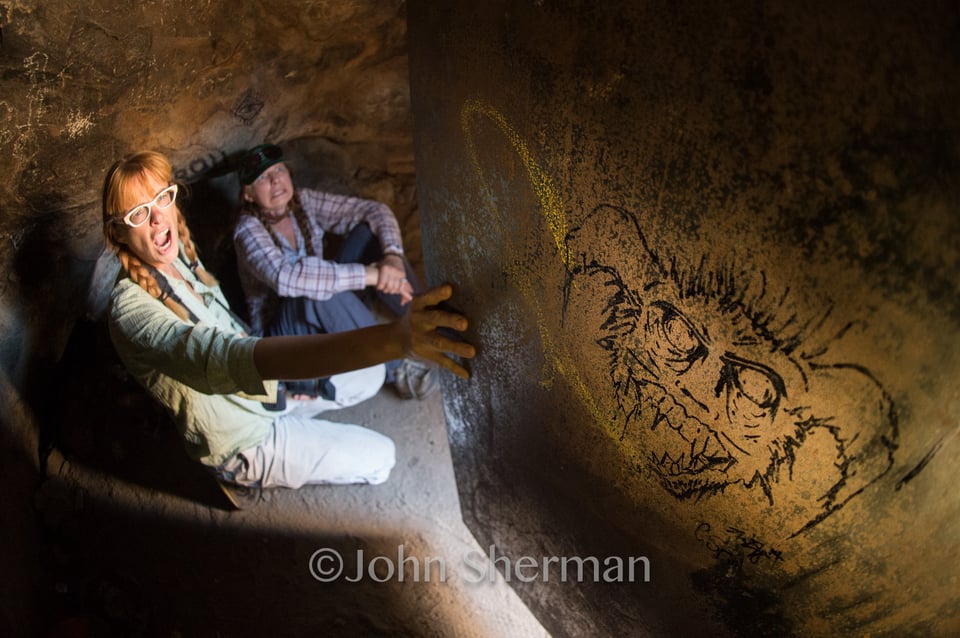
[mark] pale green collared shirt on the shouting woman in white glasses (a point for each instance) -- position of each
(202, 372)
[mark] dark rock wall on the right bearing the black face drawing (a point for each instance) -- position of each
(711, 258)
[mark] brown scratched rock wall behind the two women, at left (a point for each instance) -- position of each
(84, 83)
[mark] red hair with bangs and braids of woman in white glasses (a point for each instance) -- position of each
(116, 194)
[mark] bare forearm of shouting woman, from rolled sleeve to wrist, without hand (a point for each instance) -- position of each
(323, 355)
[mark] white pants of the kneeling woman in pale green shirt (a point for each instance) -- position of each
(301, 450)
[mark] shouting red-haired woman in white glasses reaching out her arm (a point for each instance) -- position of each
(173, 330)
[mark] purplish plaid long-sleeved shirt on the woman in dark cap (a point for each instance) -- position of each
(267, 274)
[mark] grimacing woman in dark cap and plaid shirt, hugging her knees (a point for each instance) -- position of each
(291, 289)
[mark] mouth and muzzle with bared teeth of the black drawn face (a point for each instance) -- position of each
(683, 445)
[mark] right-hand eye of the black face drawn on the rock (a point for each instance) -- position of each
(753, 391)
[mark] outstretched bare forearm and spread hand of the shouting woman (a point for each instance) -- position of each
(415, 334)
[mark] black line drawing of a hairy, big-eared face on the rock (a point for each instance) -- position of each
(718, 383)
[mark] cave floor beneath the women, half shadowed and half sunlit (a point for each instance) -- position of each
(142, 542)
